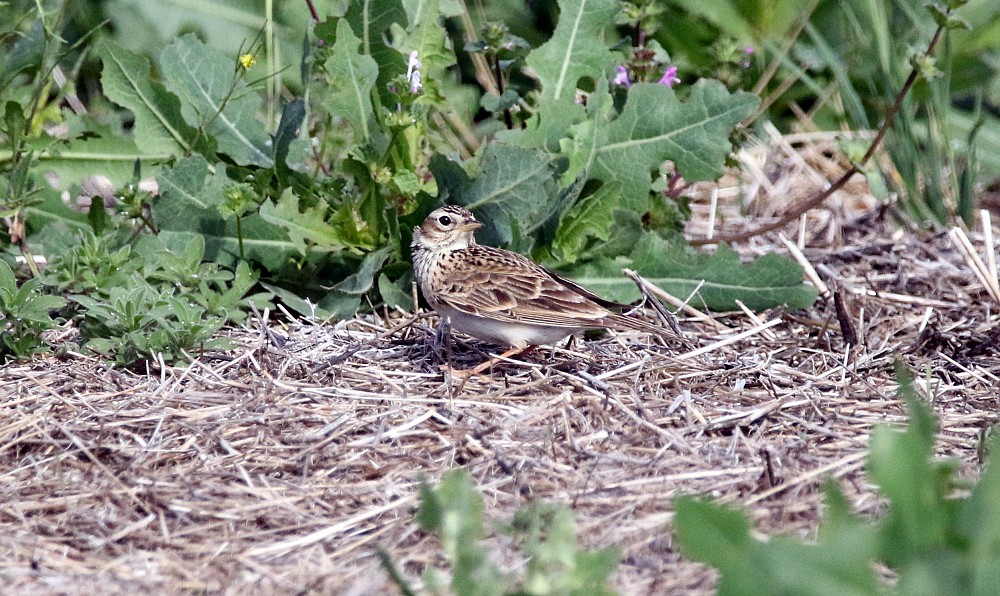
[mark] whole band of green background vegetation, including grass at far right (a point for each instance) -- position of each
(298, 170)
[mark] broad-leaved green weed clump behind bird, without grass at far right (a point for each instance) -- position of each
(314, 204)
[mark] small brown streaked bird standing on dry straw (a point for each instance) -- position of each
(501, 296)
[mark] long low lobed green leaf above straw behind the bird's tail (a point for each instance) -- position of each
(769, 281)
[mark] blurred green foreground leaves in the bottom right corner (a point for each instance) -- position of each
(934, 537)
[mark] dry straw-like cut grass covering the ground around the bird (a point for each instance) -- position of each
(279, 466)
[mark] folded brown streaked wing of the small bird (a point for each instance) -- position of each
(505, 286)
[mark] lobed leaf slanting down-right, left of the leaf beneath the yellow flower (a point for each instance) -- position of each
(126, 81)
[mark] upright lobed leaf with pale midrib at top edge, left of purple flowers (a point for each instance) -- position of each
(578, 48)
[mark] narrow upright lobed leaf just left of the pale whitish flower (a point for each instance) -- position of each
(352, 76)
